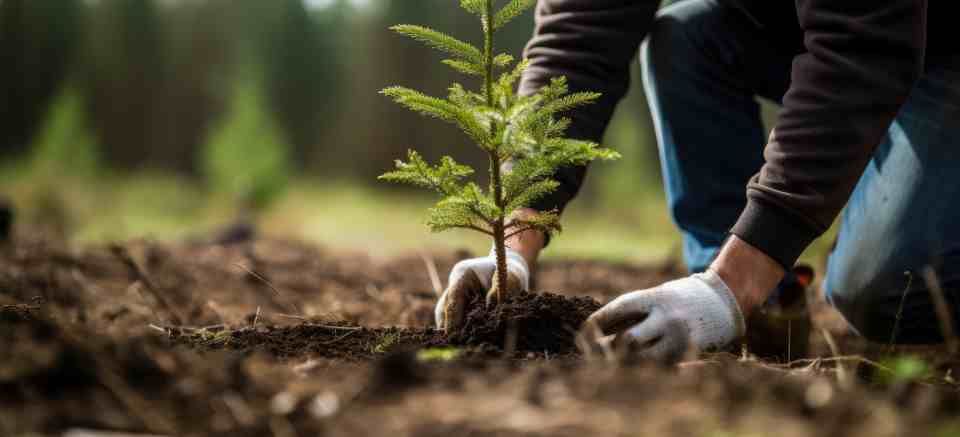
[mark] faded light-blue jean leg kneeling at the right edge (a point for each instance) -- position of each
(904, 216)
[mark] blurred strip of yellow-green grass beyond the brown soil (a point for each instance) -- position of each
(634, 227)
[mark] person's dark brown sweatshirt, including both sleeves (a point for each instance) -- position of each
(859, 61)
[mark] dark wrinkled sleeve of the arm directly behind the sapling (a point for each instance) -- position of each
(591, 43)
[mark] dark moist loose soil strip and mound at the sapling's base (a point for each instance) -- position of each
(524, 324)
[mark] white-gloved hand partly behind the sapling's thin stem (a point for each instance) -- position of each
(476, 277)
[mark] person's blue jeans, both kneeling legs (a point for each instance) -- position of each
(705, 63)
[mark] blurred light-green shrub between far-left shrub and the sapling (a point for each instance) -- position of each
(246, 155)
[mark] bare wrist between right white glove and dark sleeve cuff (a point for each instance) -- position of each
(749, 273)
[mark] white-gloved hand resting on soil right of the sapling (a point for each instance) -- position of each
(663, 322)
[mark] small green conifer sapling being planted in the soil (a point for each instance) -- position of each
(522, 133)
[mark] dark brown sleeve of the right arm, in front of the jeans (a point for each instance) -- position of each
(863, 58)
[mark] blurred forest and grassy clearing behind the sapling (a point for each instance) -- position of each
(170, 118)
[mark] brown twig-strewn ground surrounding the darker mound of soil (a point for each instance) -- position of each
(281, 338)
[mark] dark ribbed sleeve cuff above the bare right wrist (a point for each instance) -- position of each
(774, 230)
